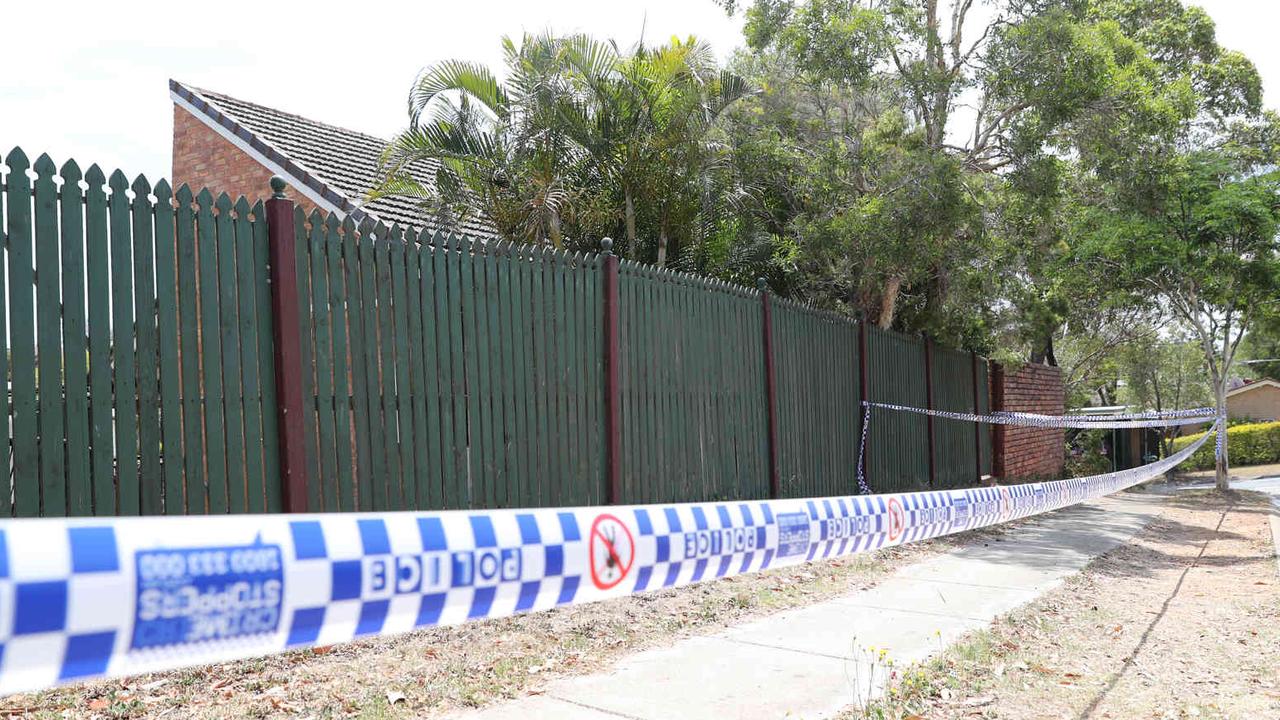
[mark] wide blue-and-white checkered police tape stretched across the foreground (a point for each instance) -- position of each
(100, 598)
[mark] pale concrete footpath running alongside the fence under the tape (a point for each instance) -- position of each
(812, 663)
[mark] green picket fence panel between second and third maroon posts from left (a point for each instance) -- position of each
(693, 389)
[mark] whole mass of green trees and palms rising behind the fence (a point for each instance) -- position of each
(1058, 181)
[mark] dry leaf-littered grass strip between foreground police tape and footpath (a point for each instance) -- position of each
(429, 673)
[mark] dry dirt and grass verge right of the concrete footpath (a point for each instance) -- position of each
(1181, 623)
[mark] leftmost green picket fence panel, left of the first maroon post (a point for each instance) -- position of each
(111, 309)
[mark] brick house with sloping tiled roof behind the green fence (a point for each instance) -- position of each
(234, 147)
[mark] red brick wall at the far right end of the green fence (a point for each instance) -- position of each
(1028, 453)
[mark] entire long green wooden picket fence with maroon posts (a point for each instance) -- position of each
(437, 372)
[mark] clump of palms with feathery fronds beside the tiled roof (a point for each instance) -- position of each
(575, 119)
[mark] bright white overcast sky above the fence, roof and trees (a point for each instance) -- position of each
(89, 80)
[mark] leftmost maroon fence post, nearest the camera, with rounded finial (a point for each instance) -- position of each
(289, 347)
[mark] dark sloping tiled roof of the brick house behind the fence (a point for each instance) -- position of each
(337, 163)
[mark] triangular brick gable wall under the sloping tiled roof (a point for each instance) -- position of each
(202, 158)
